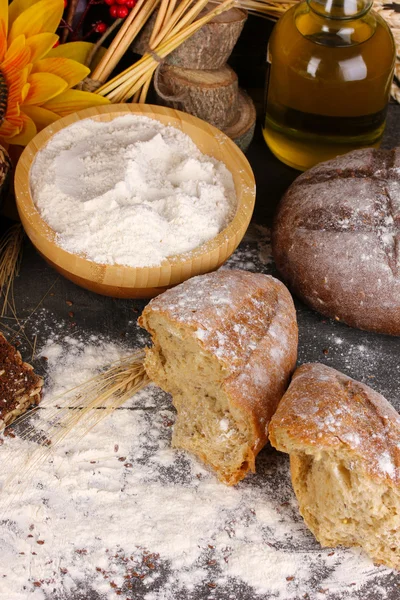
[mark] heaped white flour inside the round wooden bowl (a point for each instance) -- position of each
(130, 191)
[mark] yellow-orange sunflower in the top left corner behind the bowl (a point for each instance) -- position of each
(35, 77)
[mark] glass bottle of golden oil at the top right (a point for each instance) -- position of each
(330, 69)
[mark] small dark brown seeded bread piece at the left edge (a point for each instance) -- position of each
(20, 387)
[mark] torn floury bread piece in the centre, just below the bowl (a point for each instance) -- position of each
(224, 346)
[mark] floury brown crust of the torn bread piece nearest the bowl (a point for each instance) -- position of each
(247, 322)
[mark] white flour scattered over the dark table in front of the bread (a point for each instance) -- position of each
(119, 514)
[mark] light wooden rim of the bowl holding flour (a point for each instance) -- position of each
(168, 116)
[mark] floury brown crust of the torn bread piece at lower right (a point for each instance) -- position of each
(325, 409)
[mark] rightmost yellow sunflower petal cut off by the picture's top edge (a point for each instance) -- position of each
(42, 17)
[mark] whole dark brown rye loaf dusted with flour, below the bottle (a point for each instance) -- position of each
(336, 239)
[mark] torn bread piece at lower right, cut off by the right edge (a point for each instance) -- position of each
(344, 444)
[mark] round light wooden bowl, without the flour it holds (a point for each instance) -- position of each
(144, 282)
